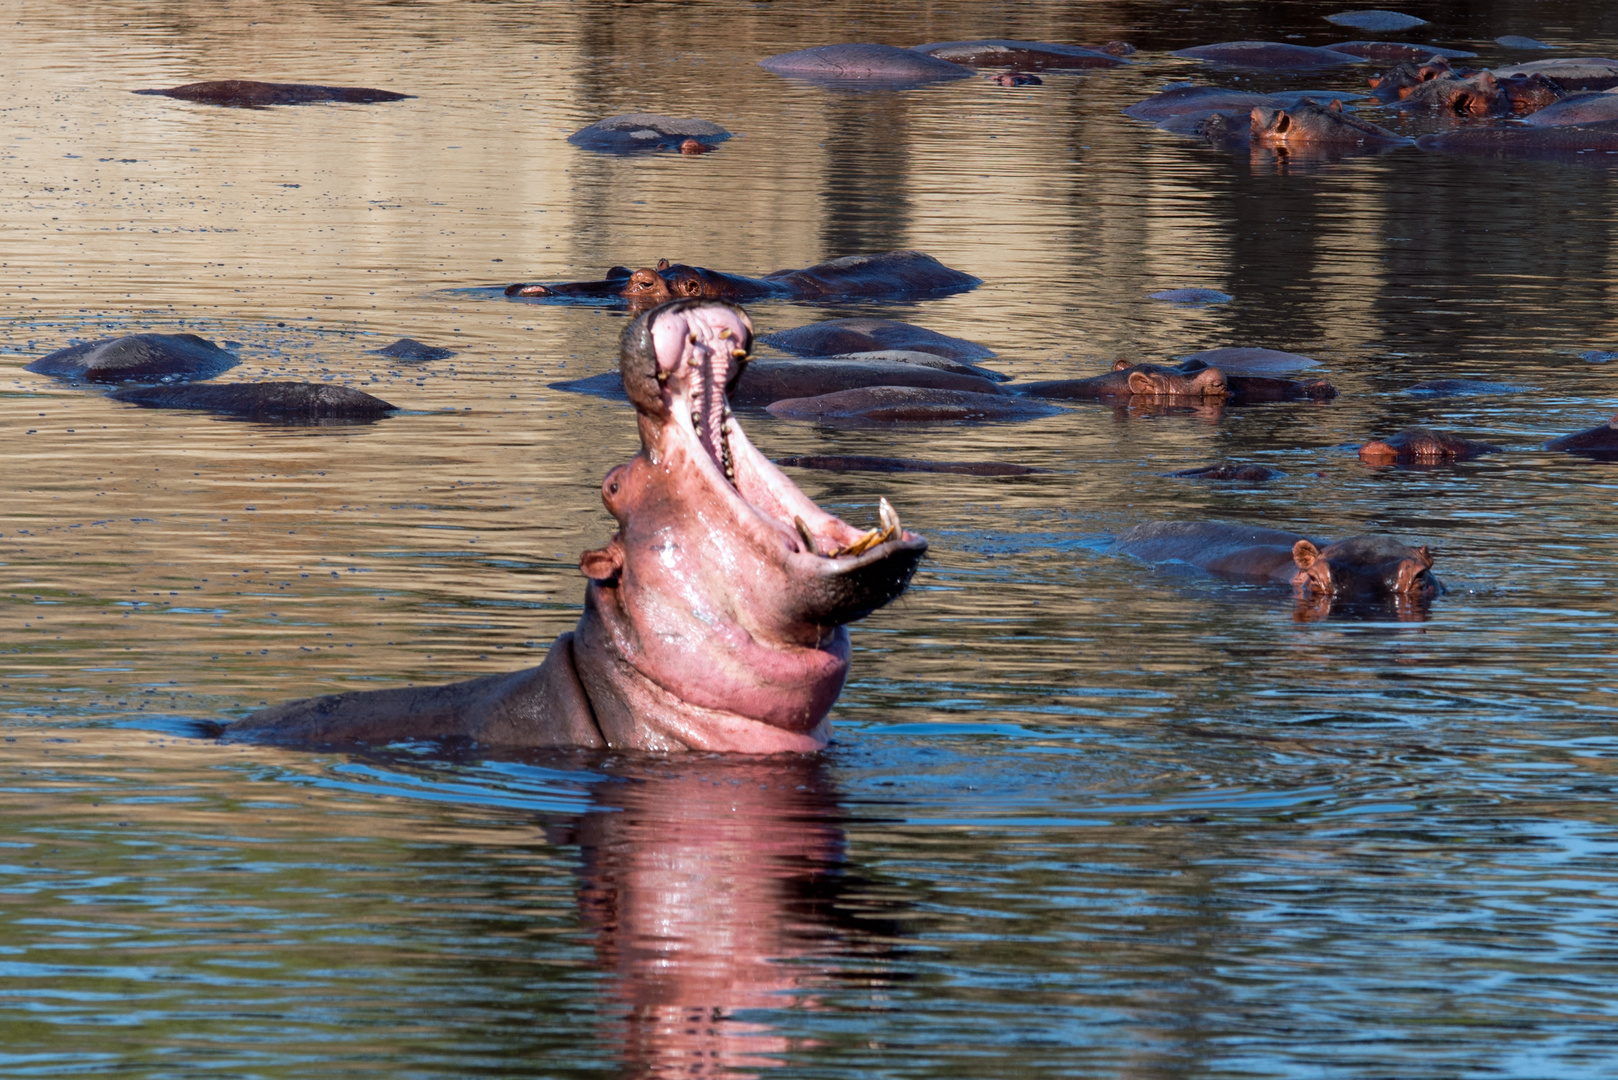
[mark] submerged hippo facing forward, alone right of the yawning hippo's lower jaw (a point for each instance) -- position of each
(1355, 569)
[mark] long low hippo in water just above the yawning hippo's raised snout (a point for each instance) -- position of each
(883, 276)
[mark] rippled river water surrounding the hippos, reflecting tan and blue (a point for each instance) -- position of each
(1083, 817)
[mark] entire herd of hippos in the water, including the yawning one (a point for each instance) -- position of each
(716, 618)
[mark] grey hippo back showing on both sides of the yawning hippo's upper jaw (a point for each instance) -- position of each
(766, 381)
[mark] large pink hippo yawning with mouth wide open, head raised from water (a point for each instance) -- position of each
(714, 619)
